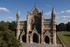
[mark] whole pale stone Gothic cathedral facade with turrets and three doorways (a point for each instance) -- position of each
(36, 29)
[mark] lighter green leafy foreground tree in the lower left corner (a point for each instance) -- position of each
(8, 39)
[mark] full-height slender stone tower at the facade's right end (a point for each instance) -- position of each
(53, 15)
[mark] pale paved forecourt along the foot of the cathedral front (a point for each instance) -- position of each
(37, 45)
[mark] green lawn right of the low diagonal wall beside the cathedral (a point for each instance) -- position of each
(65, 37)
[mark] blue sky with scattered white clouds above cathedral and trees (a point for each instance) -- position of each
(8, 9)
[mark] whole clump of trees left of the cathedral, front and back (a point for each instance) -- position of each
(7, 36)
